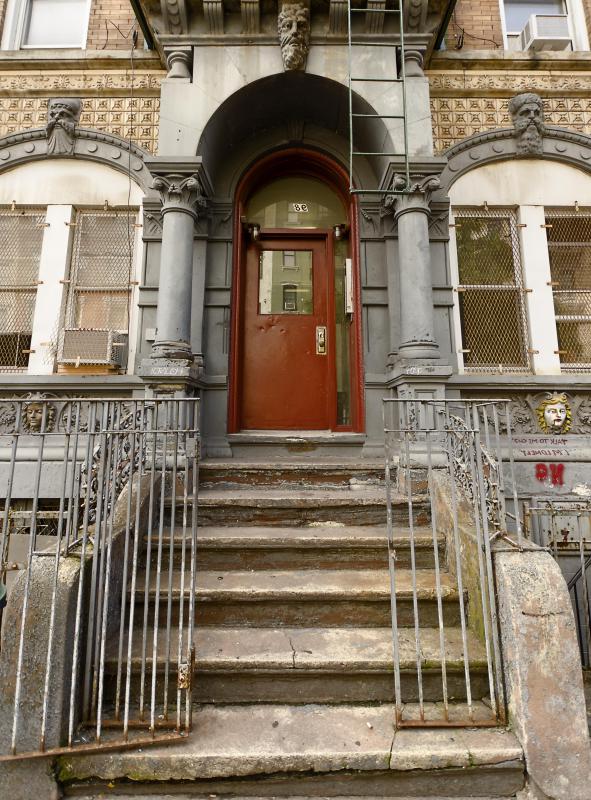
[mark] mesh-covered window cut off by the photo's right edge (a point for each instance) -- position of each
(569, 249)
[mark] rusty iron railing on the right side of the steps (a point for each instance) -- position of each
(460, 450)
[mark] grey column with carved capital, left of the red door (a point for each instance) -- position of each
(182, 199)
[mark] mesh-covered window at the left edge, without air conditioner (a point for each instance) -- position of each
(21, 234)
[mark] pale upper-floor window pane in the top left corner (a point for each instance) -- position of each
(55, 23)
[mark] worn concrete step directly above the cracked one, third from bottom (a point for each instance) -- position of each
(306, 597)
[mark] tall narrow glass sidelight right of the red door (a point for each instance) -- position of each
(343, 324)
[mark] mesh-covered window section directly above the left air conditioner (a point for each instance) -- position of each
(101, 270)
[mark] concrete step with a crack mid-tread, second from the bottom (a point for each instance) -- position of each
(314, 665)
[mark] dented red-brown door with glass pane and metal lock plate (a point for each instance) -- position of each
(287, 358)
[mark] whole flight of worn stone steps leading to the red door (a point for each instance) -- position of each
(293, 683)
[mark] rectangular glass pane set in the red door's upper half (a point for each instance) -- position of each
(285, 282)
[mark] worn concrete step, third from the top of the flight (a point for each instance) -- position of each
(317, 546)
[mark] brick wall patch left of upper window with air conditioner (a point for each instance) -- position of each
(478, 22)
